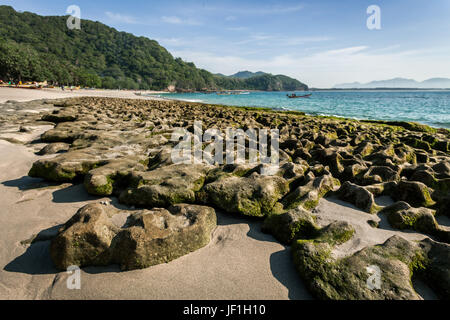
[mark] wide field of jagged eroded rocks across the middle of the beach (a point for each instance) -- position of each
(117, 146)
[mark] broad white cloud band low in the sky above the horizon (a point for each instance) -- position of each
(327, 68)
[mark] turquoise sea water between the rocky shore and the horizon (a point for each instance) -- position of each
(427, 107)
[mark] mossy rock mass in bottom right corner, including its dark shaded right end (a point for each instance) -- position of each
(355, 277)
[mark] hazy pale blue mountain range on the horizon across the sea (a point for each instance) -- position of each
(434, 83)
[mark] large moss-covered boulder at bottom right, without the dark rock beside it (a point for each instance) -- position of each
(348, 278)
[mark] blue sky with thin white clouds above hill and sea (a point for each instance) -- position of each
(321, 43)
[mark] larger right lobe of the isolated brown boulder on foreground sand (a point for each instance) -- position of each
(160, 235)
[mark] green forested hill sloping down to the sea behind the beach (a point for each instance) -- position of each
(38, 48)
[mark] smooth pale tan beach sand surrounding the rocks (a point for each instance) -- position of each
(239, 263)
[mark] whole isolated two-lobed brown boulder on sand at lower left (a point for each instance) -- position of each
(149, 237)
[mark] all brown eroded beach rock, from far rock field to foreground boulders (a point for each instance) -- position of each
(122, 148)
